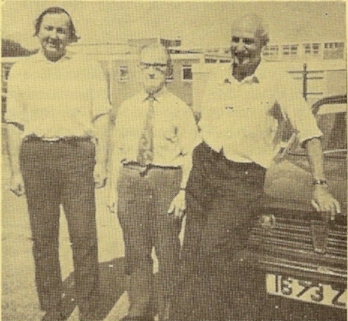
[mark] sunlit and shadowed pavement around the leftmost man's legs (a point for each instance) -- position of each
(19, 299)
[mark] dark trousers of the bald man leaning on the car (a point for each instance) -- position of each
(217, 280)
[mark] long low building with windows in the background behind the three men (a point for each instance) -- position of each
(325, 66)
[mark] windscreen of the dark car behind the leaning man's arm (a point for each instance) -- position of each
(333, 124)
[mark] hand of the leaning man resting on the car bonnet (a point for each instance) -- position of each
(325, 203)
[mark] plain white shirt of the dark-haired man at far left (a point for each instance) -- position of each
(56, 99)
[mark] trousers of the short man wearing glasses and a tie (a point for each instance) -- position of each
(143, 202)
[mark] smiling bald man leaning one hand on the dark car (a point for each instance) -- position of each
(242, 108)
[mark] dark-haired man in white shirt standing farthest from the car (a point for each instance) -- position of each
(56, 115)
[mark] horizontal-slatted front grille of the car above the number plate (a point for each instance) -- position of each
(286, 246)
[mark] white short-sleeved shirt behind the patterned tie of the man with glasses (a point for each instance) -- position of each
(175, 133)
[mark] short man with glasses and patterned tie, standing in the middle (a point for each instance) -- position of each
(155, 134)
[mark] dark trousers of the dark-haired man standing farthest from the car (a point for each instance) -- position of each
(61, 173)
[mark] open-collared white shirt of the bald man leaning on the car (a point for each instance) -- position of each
(242, 118)
